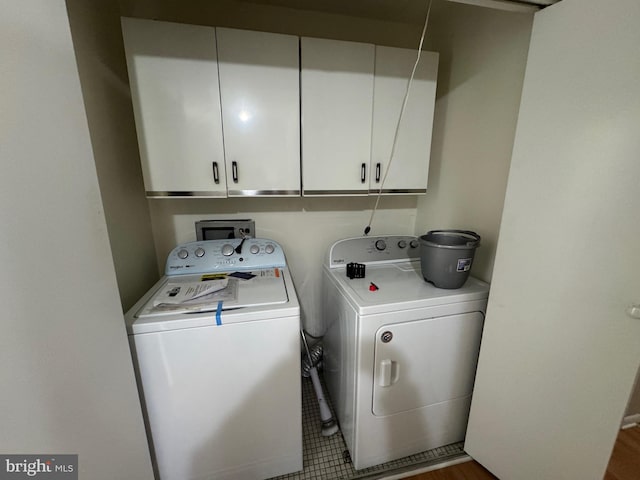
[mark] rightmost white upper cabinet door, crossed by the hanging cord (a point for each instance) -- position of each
(410, 166)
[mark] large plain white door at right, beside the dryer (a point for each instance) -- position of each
(561, 342)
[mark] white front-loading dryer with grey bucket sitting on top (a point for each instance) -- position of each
(399, 354)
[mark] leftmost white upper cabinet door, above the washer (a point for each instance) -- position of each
(173, 73)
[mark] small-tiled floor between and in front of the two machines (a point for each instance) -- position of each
(327, 458)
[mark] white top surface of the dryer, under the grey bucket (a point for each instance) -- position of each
(400, 286)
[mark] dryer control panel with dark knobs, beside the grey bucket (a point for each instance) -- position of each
(384, 248)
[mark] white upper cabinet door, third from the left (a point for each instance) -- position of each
(337, 102)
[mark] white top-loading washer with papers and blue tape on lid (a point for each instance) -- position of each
(219, 374)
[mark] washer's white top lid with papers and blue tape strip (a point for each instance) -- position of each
(263, 296)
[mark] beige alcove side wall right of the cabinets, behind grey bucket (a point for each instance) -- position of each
(483, 55)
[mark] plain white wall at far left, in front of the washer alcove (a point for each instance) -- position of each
(65, 368)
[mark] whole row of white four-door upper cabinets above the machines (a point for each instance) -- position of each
(221, 112)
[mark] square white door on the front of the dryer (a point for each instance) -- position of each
(424, 362)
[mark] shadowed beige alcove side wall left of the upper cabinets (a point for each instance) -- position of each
(95, 27)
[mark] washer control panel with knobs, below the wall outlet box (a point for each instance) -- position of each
(223, 255)
